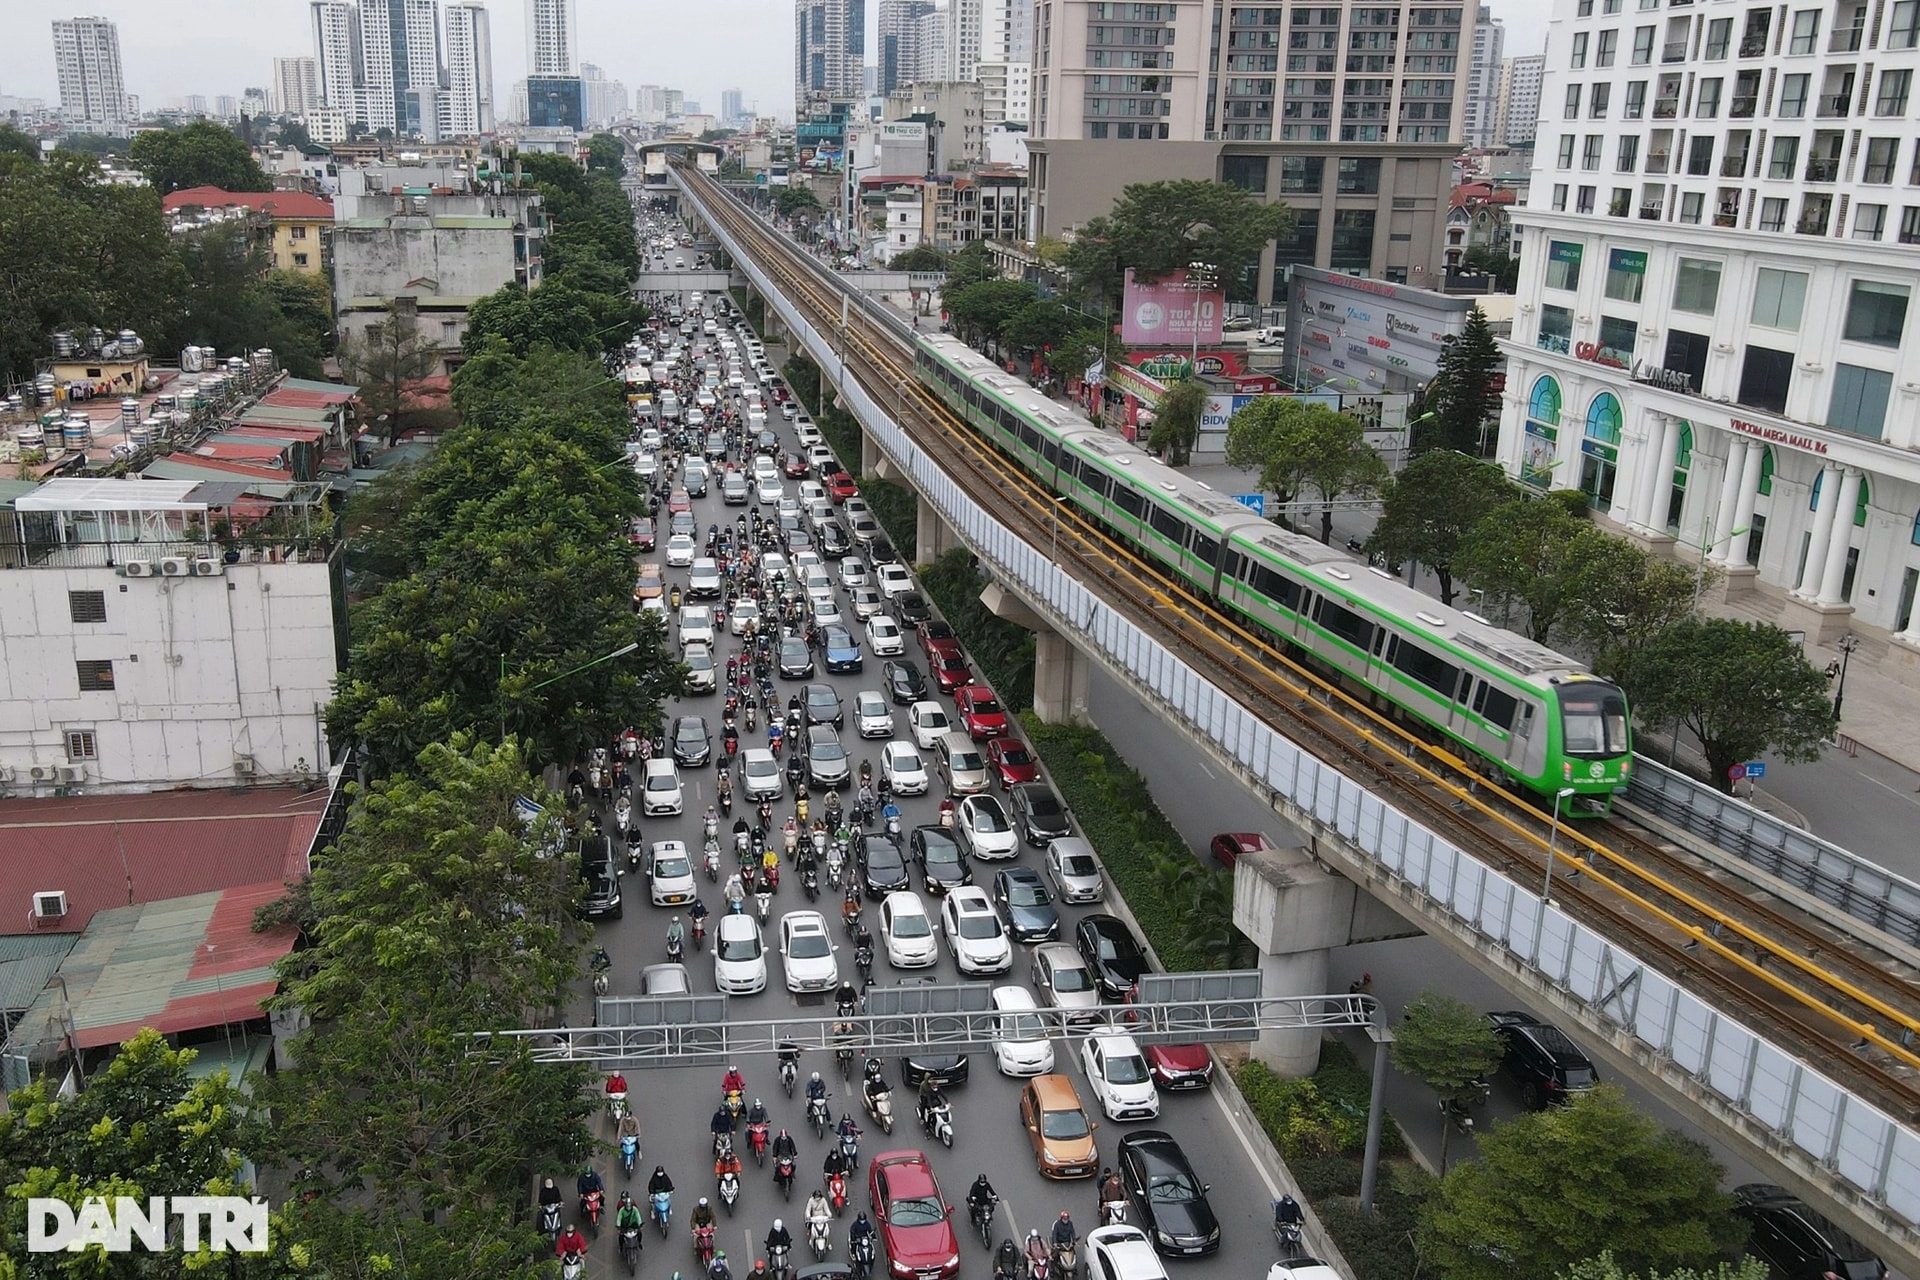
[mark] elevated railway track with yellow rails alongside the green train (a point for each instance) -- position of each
(1798, 980)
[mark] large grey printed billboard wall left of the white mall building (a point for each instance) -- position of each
(1366, 335)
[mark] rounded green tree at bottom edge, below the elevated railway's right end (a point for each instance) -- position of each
(1564, 1185)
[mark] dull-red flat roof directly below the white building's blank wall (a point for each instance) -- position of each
(122, 851)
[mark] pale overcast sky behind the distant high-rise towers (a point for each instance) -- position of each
(172, 49)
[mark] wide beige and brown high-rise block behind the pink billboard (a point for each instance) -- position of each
(1349, 112)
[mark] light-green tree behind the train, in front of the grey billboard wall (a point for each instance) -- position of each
(1303, 446)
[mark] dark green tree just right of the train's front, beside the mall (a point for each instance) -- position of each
(1742, 688)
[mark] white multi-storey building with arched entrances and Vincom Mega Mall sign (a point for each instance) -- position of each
(1717, 323)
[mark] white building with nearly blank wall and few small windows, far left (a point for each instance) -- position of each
(135, 657)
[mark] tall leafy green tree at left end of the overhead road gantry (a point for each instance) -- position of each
(437, 918)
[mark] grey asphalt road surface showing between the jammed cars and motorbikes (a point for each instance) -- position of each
(675, 1104)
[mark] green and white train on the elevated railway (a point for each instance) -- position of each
(1525, 711)
